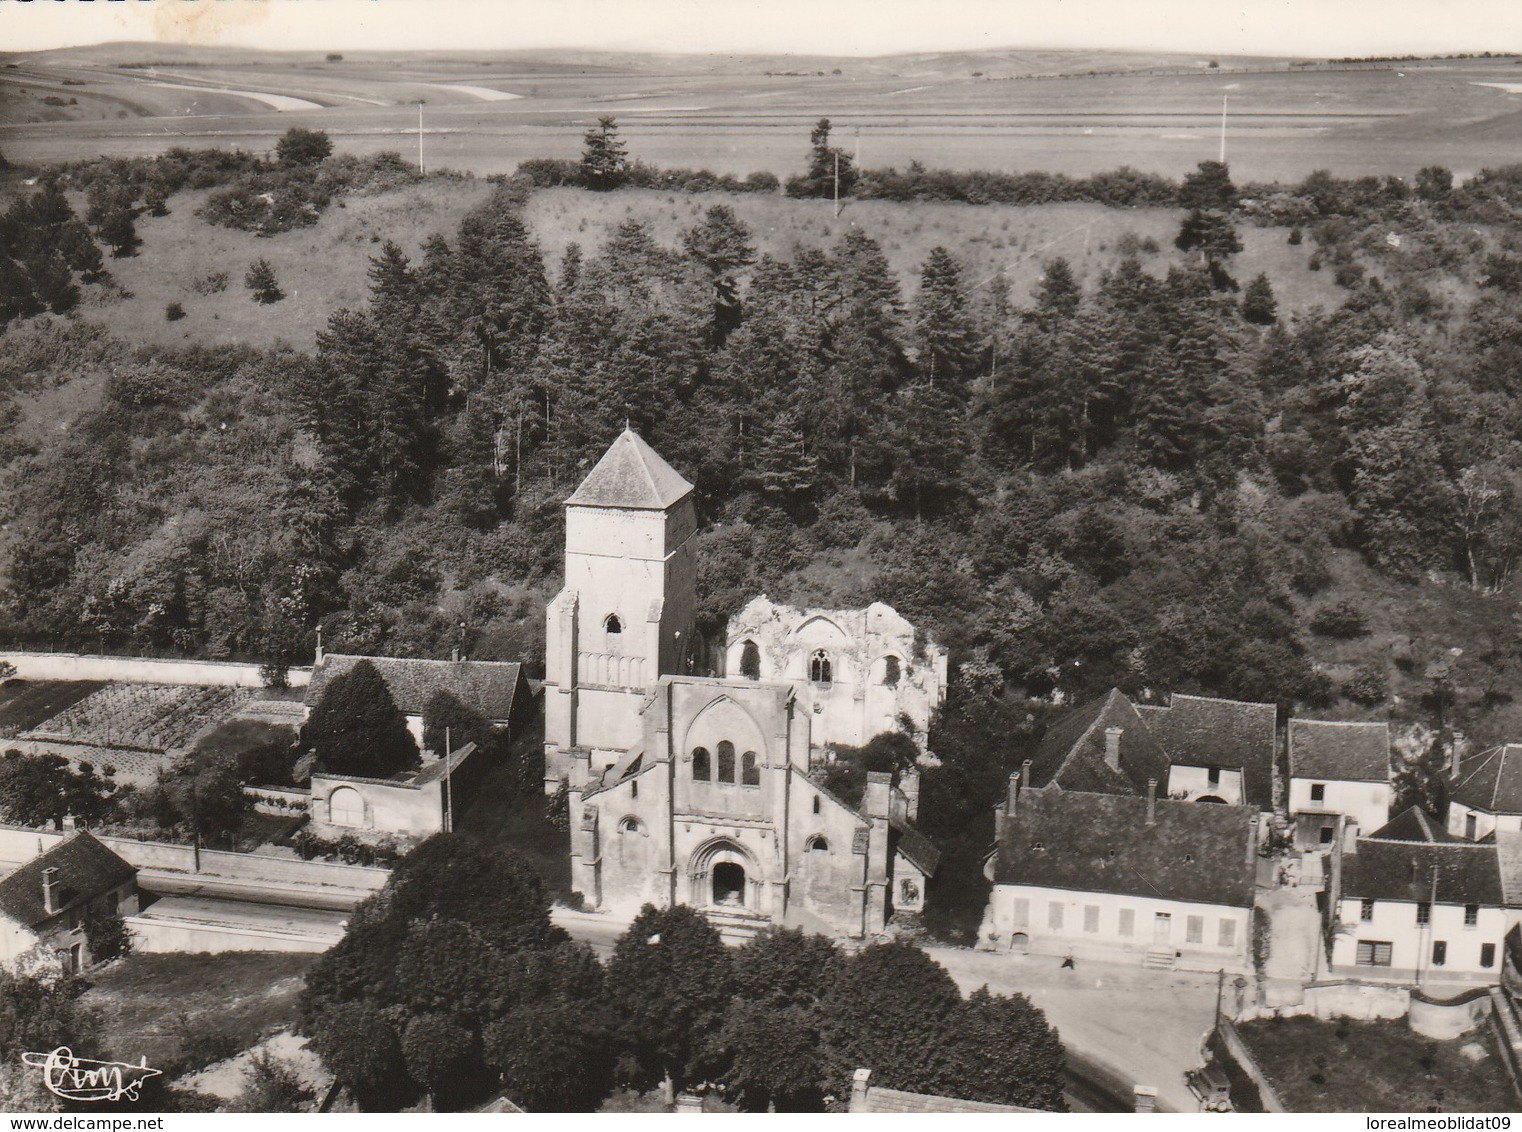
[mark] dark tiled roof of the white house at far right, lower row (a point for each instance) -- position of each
(1404, 871)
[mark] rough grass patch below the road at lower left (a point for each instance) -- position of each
(150, 1005)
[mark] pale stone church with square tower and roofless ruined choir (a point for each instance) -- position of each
(712, 790)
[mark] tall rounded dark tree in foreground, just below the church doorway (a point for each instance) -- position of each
(669, 982)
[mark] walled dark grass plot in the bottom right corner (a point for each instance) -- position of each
(1375, 1067)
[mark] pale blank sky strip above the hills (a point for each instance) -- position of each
(1310, 28)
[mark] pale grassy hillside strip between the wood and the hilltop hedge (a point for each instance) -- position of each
(323, 269)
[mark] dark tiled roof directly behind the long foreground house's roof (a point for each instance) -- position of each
(1197, 731)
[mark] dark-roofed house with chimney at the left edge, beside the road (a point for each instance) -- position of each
(46, 901)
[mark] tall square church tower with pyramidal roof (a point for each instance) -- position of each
(625, 617)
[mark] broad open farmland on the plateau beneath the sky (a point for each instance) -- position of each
(995, 110)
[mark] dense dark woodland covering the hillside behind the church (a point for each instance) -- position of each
(1147, 482)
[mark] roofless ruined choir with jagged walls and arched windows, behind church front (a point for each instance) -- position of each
(858, 672)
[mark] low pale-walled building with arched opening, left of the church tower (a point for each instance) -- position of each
(415, 804)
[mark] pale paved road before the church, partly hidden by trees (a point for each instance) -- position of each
(1142, 1026)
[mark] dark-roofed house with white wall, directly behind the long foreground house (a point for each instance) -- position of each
(1221, 751)
